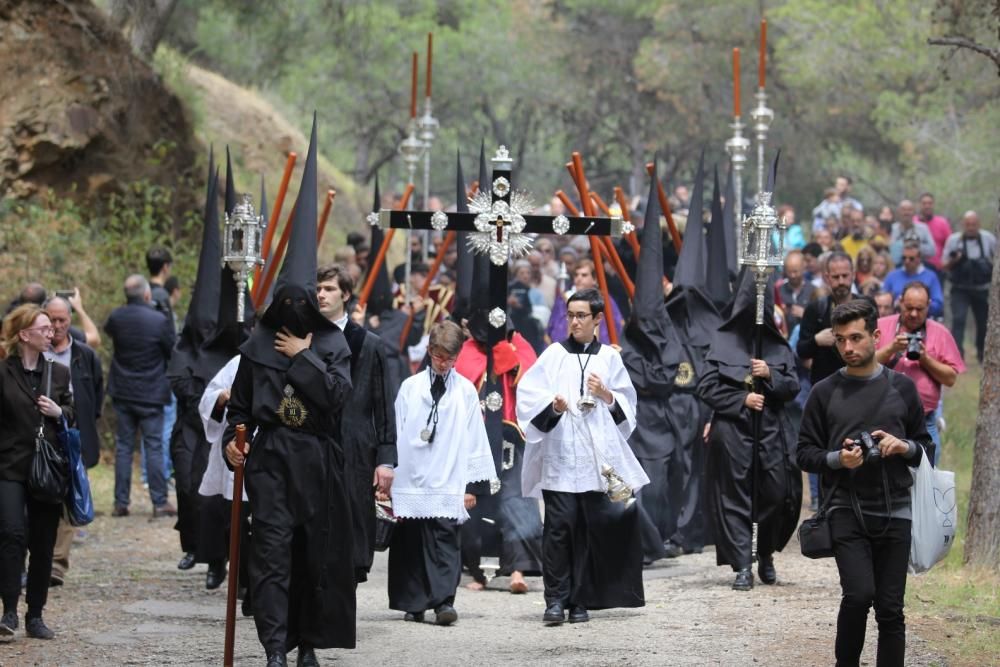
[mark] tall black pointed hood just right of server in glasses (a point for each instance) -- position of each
(651, 348)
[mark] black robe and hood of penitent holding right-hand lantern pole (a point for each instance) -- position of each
(724, 386)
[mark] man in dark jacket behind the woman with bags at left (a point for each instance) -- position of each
(87, 387)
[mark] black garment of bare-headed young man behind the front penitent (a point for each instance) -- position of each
(368, 434)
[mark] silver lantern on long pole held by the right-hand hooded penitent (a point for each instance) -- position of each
(762, 250)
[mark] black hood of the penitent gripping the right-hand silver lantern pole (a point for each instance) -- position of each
(733, 343)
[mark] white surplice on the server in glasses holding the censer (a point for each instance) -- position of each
(570, 457)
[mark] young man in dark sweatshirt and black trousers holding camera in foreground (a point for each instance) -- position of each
(861, 427)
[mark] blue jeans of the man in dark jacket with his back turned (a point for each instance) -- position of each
(147, 419)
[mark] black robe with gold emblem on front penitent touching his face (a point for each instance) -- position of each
(301, 555)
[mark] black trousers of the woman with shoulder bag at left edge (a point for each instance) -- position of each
(28, 524)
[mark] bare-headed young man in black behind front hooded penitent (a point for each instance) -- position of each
(368, 427)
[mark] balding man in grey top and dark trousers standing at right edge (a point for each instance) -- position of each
(969, 262)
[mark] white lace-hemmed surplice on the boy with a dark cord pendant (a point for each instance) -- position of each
(431, 477)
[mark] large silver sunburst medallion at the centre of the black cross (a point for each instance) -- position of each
(500, 226)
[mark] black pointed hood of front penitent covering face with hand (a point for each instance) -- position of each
(295, 306)
